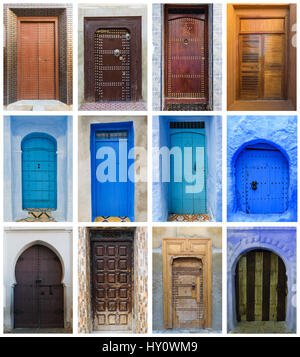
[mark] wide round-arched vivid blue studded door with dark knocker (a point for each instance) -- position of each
(262, 179)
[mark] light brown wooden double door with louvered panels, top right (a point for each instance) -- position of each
(262, 59)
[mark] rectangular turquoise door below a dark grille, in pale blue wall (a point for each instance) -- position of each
(187, 175)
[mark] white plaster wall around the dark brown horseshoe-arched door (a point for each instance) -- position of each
(15, 242)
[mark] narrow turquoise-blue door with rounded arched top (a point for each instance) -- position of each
(39, 172)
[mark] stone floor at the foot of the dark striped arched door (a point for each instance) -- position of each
(261, 327)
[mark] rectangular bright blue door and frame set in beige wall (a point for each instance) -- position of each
(112, 187)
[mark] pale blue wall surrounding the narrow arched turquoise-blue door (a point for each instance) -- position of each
(15, 129)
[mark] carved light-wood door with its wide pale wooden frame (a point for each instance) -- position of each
(187, 282)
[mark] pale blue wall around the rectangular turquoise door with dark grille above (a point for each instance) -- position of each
(213, 128)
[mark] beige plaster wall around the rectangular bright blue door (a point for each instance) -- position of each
(84, 164)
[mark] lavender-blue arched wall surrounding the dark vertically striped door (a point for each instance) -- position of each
(281, 241)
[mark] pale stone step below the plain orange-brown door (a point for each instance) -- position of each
(39, 105)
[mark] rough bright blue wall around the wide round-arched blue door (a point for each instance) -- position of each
(280, 131)
